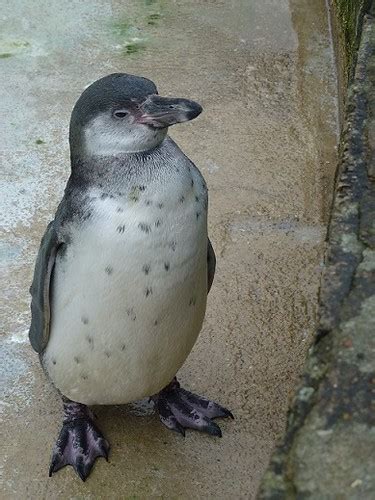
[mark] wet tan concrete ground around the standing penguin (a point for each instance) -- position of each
(266, 143)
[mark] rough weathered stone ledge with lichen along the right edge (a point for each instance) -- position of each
(328, 449)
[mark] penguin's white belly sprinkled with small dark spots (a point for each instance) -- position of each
(128, 299)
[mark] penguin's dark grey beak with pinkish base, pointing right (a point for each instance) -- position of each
(161, 112)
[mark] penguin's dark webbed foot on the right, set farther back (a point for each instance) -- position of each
(180, 409)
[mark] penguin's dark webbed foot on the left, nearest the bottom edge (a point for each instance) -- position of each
(79, 443)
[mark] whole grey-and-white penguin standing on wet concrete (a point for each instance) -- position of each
(123, 271)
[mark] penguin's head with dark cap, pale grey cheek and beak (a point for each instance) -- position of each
(122, 113)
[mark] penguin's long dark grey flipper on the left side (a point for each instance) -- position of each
(40, 289)
